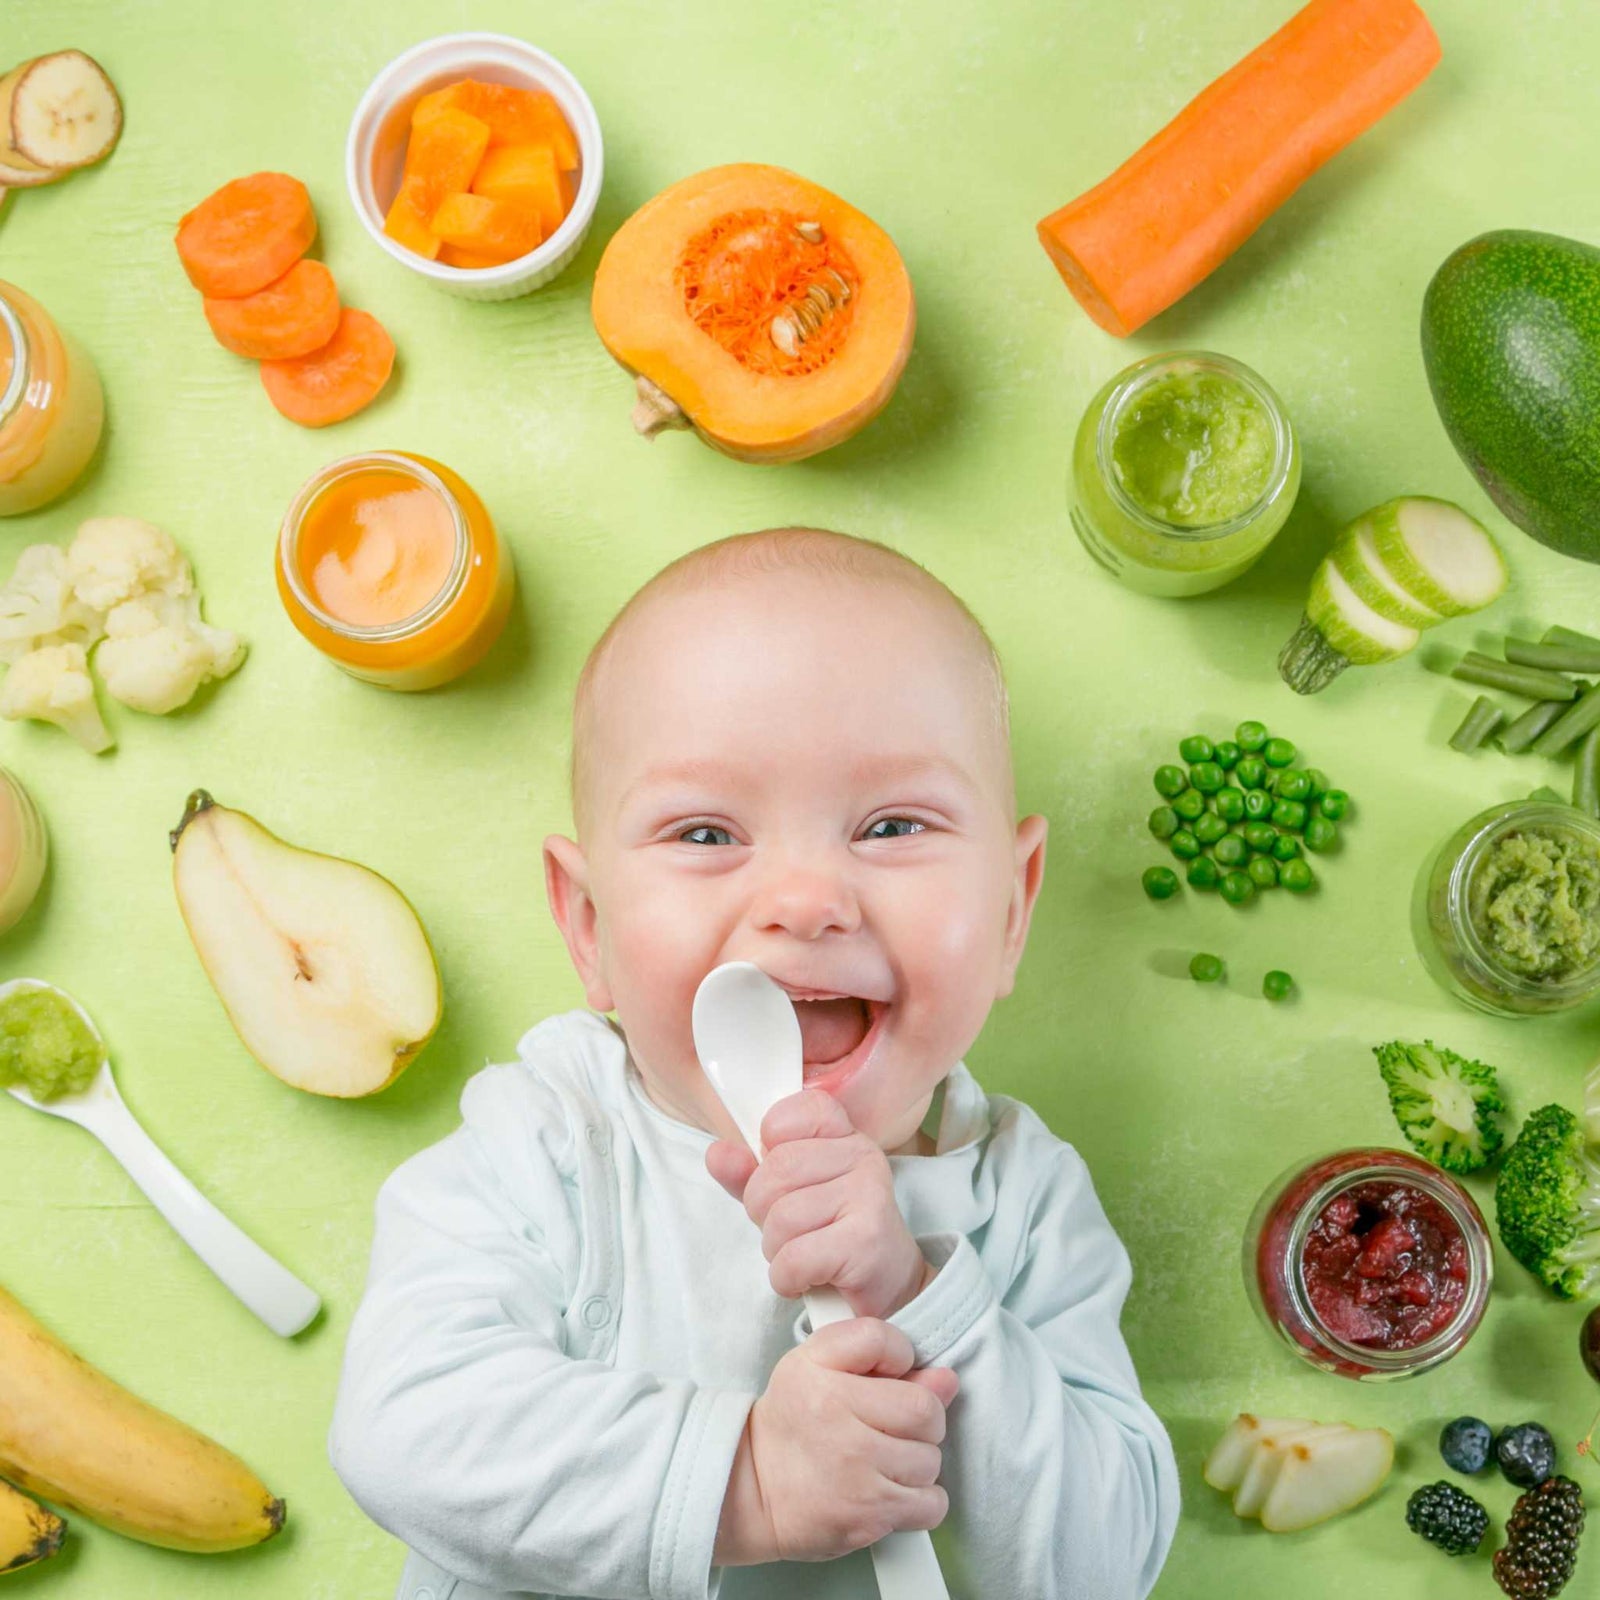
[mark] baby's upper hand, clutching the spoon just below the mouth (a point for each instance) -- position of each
(825, 1202)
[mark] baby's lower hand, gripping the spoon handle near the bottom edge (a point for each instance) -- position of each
(839, 1452)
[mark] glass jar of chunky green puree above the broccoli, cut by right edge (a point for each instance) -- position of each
(1508, 914)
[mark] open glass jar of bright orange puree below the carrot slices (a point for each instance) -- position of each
(390, 566)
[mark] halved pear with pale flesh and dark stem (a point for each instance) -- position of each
(322, 966)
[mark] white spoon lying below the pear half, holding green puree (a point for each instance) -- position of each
(265, 1286)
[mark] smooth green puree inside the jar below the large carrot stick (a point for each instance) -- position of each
(1194, 449)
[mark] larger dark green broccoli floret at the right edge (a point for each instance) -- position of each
(1548, 1202)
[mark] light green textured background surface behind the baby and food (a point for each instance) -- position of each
(956, 127)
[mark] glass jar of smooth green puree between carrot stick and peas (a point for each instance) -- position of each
(1183, 473)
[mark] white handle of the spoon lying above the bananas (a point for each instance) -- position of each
(263, 1284)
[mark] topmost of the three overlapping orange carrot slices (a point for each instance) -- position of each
(247, 234)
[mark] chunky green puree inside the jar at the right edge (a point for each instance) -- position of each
(1535, 902)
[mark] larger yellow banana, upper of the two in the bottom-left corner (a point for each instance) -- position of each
(78, 1439)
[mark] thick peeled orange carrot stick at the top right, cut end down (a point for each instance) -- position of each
(1183, 204)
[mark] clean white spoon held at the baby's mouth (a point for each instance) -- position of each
(748, 1041)
